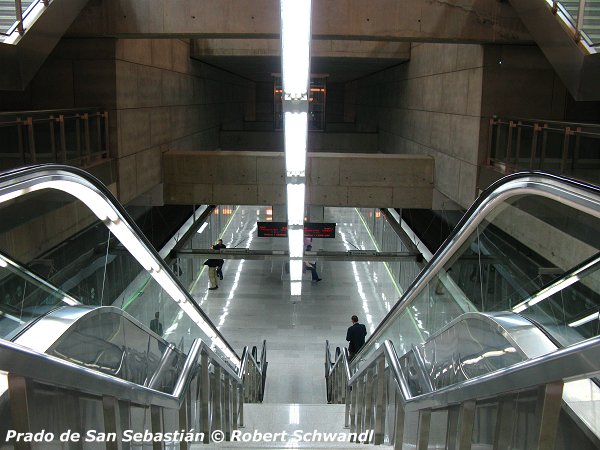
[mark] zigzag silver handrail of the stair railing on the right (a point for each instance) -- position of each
(575, 362)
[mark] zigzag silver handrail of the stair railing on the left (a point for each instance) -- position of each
(18, 360)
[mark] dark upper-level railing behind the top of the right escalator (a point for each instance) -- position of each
(556, 147)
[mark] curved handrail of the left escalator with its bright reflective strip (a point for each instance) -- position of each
(20, 181)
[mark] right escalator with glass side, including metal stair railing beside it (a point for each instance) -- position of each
(496, 343)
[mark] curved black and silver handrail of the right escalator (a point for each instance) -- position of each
(579, 195)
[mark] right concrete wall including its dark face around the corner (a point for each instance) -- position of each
(440, 103)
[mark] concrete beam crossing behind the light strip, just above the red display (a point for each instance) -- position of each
(333, 179)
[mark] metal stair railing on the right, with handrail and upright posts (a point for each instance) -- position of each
(379, 400)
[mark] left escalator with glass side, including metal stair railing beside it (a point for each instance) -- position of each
(139, 361)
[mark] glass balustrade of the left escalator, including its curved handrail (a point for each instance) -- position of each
(74, 247)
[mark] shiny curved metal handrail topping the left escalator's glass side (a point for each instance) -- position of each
(17, 182)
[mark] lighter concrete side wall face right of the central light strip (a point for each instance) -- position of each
(429, 106)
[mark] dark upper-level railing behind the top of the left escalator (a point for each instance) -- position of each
(75, 136)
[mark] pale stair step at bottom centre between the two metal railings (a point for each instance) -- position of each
(305, 426)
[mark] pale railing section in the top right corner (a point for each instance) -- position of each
(583, 16)
